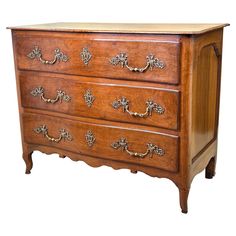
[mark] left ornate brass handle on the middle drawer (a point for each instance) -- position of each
(61, 95)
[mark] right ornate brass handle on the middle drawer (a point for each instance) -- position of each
(123, 102)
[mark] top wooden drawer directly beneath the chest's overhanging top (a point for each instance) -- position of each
(133, 57)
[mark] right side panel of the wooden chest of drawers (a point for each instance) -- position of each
(205, 91)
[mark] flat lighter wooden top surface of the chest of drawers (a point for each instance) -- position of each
(123, 28)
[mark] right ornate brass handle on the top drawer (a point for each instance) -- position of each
(152, 62)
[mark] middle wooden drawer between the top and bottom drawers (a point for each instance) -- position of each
(106, 99)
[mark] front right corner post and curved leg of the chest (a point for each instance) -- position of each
(185, 114)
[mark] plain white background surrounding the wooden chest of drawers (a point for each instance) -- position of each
(62, 197)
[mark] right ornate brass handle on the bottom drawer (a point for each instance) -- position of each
(151, 149)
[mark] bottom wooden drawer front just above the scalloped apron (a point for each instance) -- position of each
(110, 142)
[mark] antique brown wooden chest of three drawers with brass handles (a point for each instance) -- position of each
(134, 96)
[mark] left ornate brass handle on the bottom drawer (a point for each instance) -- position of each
(64, 135)
